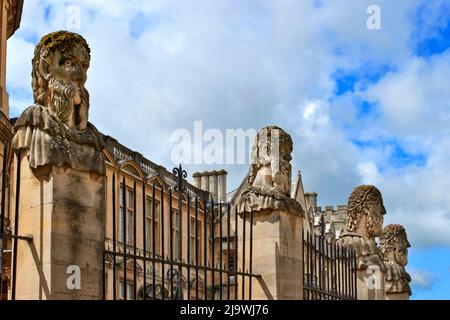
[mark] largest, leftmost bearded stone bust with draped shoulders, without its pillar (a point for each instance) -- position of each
(55, 131)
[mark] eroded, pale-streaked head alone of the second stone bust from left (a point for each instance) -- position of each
(271, 156)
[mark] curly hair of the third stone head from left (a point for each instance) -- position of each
(359, 203)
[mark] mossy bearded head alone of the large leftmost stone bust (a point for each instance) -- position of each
(60, 64)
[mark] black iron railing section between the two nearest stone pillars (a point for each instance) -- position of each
(190, 257)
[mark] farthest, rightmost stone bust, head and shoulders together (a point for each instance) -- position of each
(394, 245)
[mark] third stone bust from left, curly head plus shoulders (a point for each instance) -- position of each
(365, 212)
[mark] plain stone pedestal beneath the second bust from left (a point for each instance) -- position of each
(277, 254)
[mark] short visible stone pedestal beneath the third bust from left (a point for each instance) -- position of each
(370, 284)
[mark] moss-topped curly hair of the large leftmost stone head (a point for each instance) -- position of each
(60, 40)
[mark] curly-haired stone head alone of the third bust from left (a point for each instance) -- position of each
(365, 211)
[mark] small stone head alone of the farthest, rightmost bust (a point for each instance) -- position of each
(395, 244)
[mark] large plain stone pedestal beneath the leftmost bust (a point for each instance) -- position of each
(63, 211)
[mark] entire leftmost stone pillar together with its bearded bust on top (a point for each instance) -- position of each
(62, 179)
